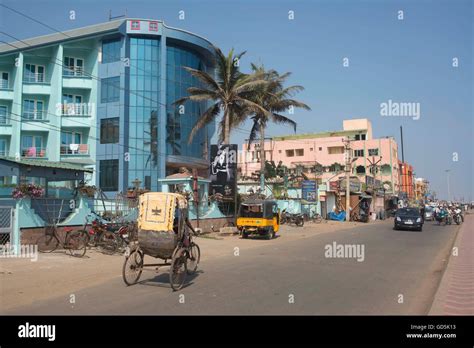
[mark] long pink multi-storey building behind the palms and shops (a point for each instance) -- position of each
(321, 156)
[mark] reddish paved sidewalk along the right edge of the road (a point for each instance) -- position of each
(455, 295)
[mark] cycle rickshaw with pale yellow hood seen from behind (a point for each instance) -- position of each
(164, 232)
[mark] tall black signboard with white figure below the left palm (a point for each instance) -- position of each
(223, 170)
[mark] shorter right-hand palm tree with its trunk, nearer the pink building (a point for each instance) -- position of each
(275, 99)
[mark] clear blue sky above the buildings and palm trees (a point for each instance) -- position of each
(405, 61)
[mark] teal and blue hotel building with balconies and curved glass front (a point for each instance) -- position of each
(103, 97)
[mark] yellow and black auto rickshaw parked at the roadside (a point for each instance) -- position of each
(260, 217)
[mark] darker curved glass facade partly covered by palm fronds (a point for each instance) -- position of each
(181, 120)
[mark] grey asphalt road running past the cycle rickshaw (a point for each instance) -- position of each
(399, 274)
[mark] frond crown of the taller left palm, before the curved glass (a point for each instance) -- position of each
(229, 93)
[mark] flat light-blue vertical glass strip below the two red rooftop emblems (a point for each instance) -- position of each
(144, 105)
